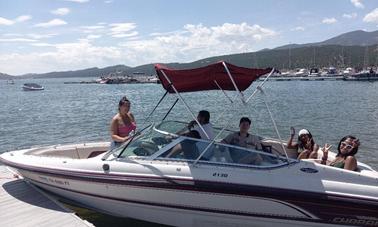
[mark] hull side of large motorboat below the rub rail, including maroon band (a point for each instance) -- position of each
(181, 202)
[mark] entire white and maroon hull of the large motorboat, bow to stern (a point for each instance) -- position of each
(182, 194)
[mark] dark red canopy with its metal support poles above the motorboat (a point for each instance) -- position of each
(219, 76)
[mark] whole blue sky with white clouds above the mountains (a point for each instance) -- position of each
(39, 36)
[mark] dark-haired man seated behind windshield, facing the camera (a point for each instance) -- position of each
(246, 140)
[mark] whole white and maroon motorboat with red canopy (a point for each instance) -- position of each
(142, 179)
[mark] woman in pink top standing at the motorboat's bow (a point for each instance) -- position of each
(123, 123)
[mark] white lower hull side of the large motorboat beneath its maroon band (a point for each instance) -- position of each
(166, 206)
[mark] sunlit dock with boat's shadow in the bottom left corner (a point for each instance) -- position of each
(24, 205)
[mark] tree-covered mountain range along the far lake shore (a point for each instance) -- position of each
(353, 49)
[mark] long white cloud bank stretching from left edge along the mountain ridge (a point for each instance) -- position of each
(190, 43)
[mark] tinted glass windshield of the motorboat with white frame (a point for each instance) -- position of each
(162, 142)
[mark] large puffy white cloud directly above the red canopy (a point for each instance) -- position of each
(196, 42)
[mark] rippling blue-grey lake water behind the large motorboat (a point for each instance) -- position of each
(73, 113)
